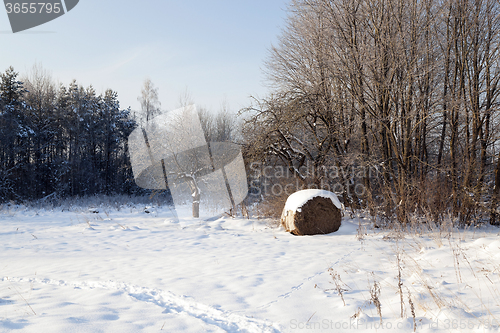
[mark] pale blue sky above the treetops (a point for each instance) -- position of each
(214, 49)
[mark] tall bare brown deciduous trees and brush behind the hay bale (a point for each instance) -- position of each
(407, 88)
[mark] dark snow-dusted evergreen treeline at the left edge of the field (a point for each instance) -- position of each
(60, 142)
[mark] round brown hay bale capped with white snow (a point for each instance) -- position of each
(311, 212)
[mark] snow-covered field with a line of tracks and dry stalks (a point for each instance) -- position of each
(124, 270)
